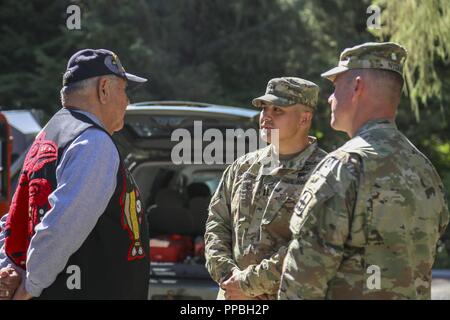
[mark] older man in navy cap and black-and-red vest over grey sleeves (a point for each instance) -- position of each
(76, 228)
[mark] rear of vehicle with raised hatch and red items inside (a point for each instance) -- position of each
(176, 195)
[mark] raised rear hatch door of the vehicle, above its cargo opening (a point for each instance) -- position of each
(151, 132)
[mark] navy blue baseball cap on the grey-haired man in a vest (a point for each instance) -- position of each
(89, 63)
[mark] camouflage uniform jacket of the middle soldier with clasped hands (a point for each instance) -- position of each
(248, 222)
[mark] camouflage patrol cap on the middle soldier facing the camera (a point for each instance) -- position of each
(287, 91)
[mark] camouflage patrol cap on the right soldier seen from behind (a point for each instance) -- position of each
(370, 55)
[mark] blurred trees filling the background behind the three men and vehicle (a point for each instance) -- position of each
(225, 52)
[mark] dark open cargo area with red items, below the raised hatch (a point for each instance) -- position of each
(176, 198)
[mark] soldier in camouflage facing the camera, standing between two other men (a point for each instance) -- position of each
(247, 231)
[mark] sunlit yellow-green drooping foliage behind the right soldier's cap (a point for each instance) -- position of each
(423, 27)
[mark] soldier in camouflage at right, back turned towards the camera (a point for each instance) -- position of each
(369, 217)
